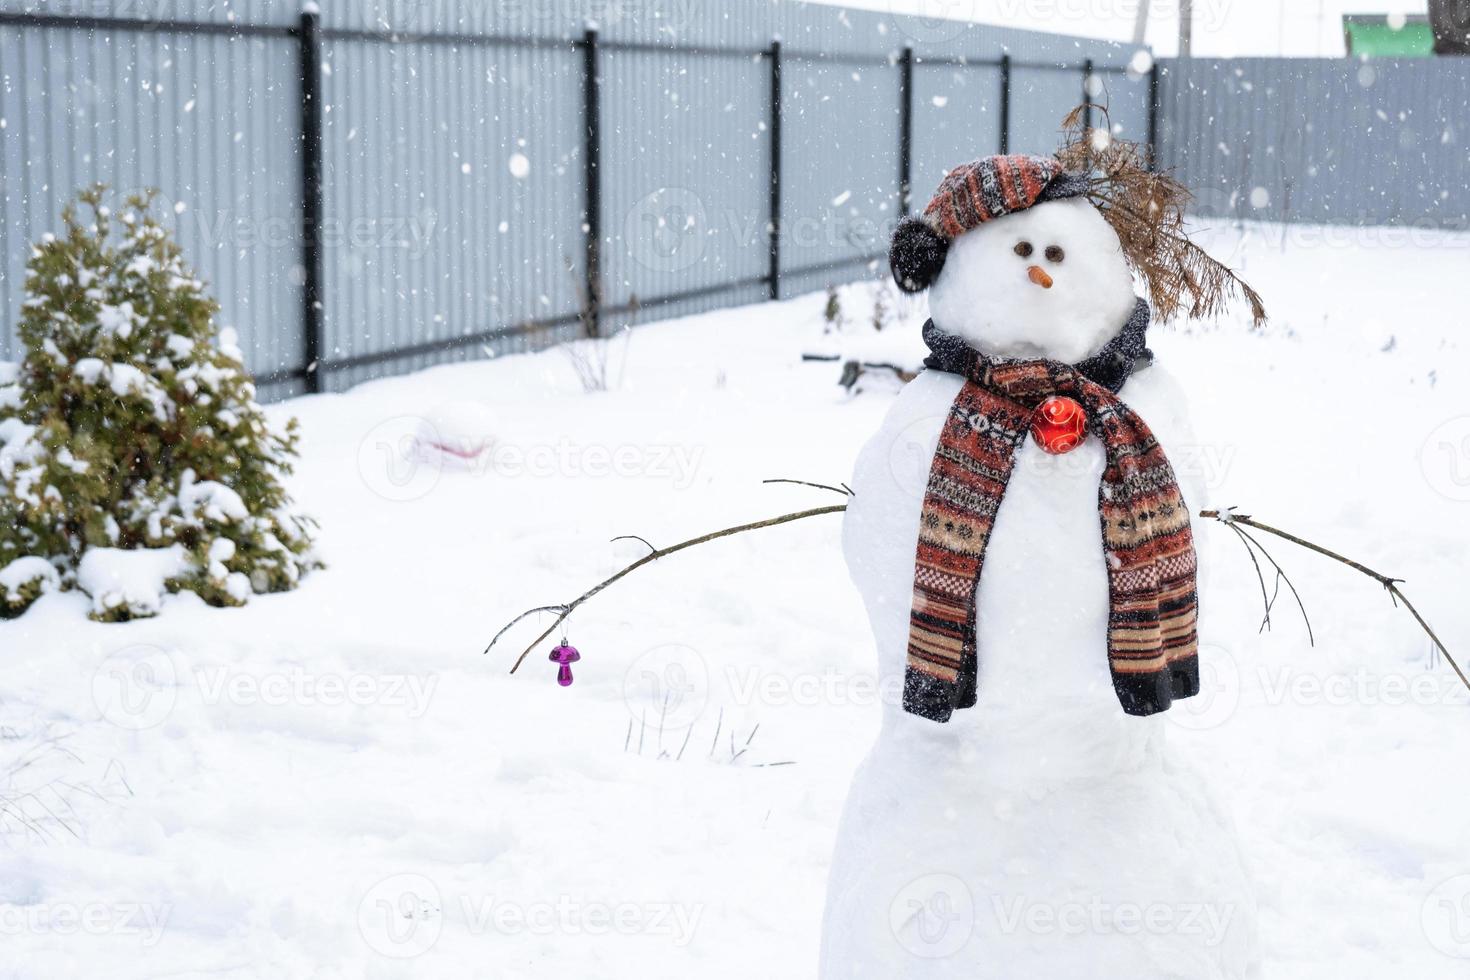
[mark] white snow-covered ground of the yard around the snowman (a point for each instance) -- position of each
(337, 784)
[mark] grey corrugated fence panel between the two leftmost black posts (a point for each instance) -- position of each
(453, 199)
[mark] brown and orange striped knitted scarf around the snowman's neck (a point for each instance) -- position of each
(1146, 533)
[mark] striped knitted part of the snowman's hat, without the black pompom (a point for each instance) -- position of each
(992, 187)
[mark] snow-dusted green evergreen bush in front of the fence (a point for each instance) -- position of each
(133, 453)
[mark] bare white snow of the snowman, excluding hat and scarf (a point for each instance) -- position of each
(1043, 832)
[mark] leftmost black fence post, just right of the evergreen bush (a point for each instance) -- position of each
(309, 40)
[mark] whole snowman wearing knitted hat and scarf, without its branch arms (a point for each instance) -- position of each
(1021, 816)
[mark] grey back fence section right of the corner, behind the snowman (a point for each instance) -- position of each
(1324, 142)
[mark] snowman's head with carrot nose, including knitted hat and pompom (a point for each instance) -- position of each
(1044, 280)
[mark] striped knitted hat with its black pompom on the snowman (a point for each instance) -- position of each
(968, 198)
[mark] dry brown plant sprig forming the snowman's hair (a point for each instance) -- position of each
(1147, 211)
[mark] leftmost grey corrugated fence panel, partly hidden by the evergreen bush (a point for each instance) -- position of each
(199, 118)
